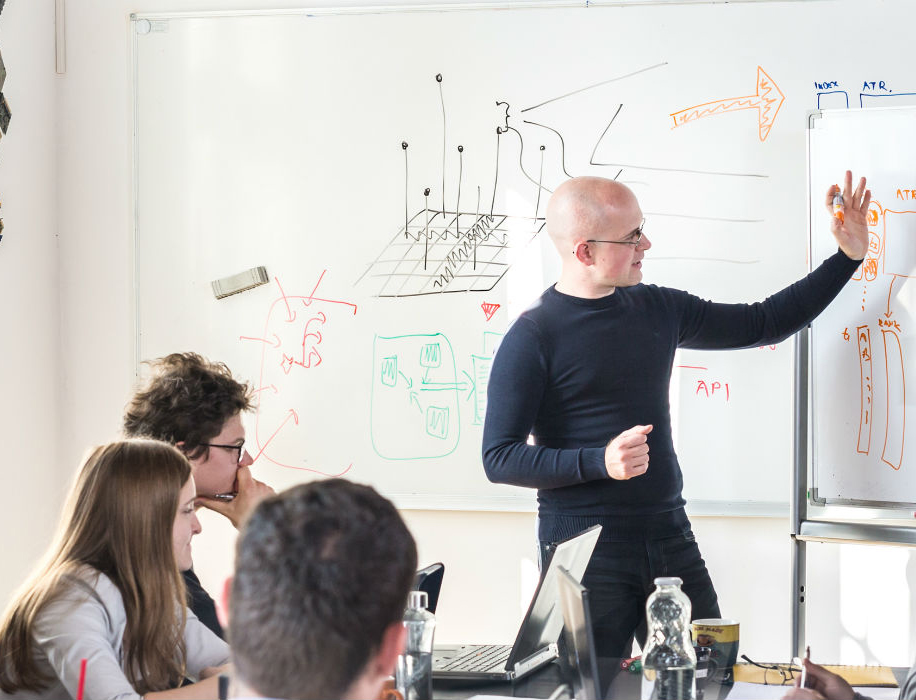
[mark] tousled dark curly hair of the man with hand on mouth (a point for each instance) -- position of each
(186, 399)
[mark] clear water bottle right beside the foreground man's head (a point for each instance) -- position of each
(414, 674)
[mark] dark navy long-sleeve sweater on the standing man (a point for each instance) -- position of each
(574, 373)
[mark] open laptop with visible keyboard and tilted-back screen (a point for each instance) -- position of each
(536, 642)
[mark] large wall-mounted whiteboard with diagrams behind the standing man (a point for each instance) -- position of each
(276, 140)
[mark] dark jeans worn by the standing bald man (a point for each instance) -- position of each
(620, 578)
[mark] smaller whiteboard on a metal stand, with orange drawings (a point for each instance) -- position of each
(862, 347)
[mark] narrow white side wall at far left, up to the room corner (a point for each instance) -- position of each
(30, 357)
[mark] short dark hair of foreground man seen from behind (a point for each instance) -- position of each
(322, 570)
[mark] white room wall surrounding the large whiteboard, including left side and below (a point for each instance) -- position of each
(67, 369)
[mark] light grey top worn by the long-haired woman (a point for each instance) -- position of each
(87, 621)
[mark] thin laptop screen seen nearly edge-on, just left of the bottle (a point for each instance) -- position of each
(579, 638)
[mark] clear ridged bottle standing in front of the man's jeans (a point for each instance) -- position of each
(669, 662)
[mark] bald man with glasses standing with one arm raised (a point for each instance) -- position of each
(585, 372)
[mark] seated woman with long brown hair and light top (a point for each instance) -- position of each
(110, 589)
